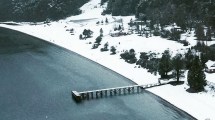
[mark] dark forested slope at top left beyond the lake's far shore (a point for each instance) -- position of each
(38, 10)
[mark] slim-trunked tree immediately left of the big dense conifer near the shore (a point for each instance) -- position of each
(178, 65)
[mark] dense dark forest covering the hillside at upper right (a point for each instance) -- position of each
(185, 13)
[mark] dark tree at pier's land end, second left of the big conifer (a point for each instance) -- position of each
(165, 64)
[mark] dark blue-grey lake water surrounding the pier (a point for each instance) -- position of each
(36, 79)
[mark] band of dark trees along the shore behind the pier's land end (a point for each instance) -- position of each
(169, 66)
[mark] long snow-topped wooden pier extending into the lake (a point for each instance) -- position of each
(86, 95)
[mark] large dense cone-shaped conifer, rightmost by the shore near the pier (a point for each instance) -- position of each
(196, 76)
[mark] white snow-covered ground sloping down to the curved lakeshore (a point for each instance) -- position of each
(200, 105)
